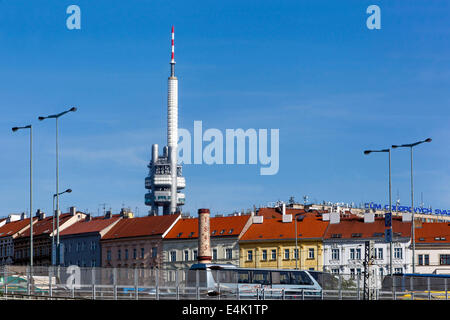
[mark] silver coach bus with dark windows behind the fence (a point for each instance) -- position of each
(227, 280)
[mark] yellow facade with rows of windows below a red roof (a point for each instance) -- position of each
(281, 261)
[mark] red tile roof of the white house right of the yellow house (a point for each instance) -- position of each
(354, 227)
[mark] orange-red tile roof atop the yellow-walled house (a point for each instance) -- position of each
(311, 226)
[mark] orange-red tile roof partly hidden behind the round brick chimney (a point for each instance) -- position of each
(188, 228)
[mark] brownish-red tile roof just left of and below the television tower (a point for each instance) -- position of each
(141, 226)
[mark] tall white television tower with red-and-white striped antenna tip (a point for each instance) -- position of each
(165, 174)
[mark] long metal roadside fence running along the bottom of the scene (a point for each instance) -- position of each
(156, 284)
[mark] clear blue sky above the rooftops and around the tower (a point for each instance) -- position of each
(311, 69)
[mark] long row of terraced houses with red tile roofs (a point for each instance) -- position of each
(269, 238)
